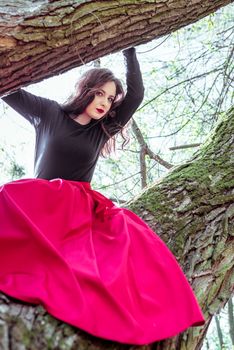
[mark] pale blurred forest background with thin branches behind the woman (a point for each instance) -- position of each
(189, 80)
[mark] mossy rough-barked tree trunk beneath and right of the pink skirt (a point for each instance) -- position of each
(192, 210)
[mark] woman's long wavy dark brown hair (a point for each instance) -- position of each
(85, 90)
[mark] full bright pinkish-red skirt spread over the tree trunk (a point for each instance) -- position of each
(91, 264)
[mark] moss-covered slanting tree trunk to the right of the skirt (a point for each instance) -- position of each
(192, 210)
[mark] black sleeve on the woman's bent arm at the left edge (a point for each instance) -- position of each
(33, 108)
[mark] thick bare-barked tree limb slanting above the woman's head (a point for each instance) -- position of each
(43, 38)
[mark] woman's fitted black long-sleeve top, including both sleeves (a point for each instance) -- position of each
(64, 148)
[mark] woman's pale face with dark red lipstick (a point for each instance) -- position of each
(102, 101)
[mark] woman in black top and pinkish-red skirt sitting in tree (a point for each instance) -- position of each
(67, 247)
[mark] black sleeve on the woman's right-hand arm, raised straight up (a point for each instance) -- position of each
(134, 95)
